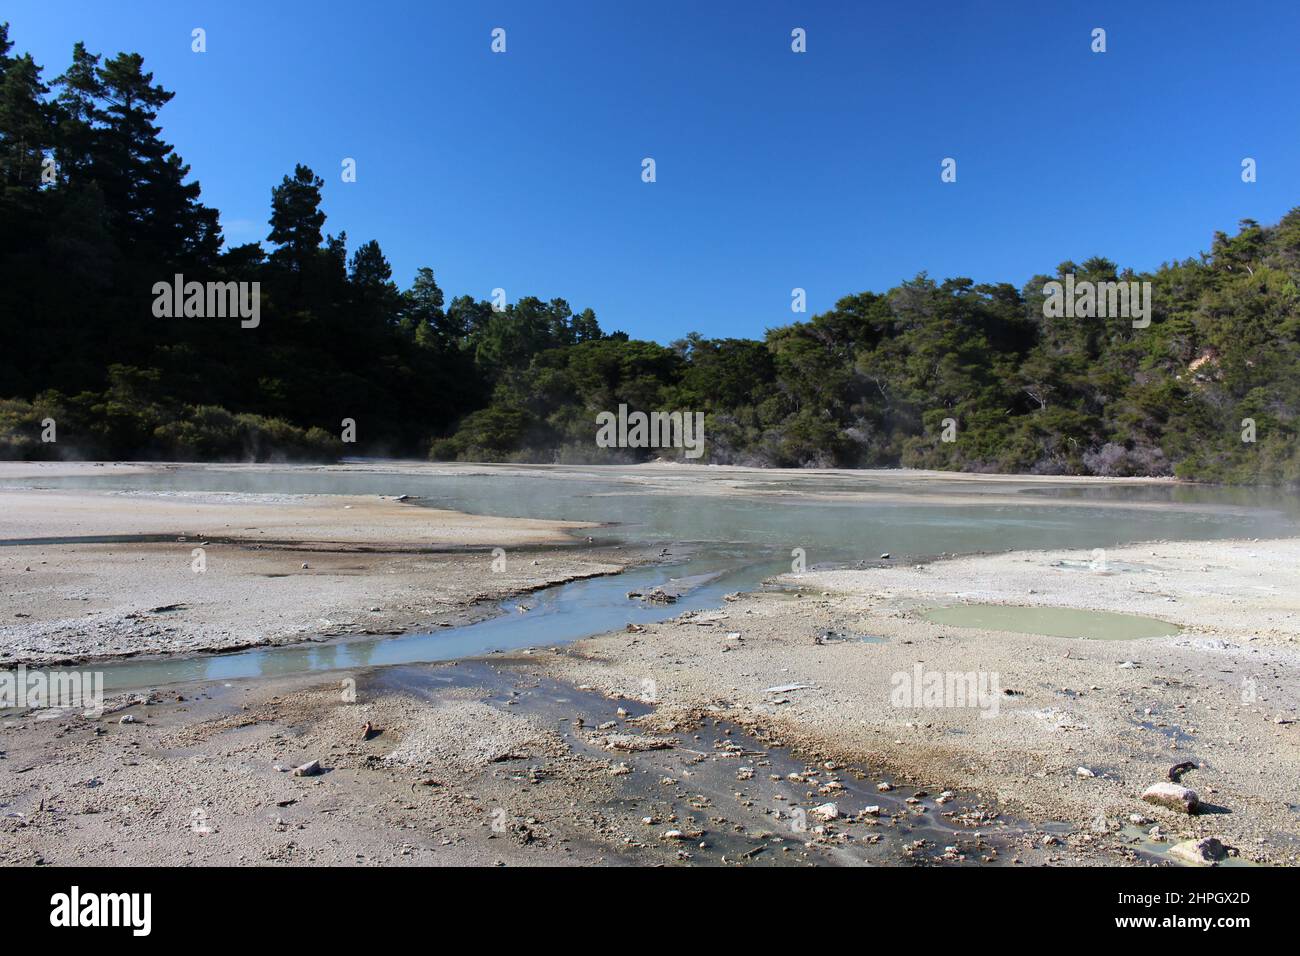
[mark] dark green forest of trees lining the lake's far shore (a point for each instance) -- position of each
(97, 210)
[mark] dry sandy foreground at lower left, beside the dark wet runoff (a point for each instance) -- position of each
(209, 780)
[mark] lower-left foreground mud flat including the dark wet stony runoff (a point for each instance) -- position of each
(470, 764)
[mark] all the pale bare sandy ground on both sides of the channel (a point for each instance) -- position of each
(772, 707)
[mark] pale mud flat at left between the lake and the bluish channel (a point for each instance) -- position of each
(103, 574)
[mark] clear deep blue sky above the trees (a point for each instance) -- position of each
(775, 170)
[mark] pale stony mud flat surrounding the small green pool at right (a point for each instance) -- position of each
(1078, 729)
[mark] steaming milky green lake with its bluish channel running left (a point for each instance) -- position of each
(738, 542)
